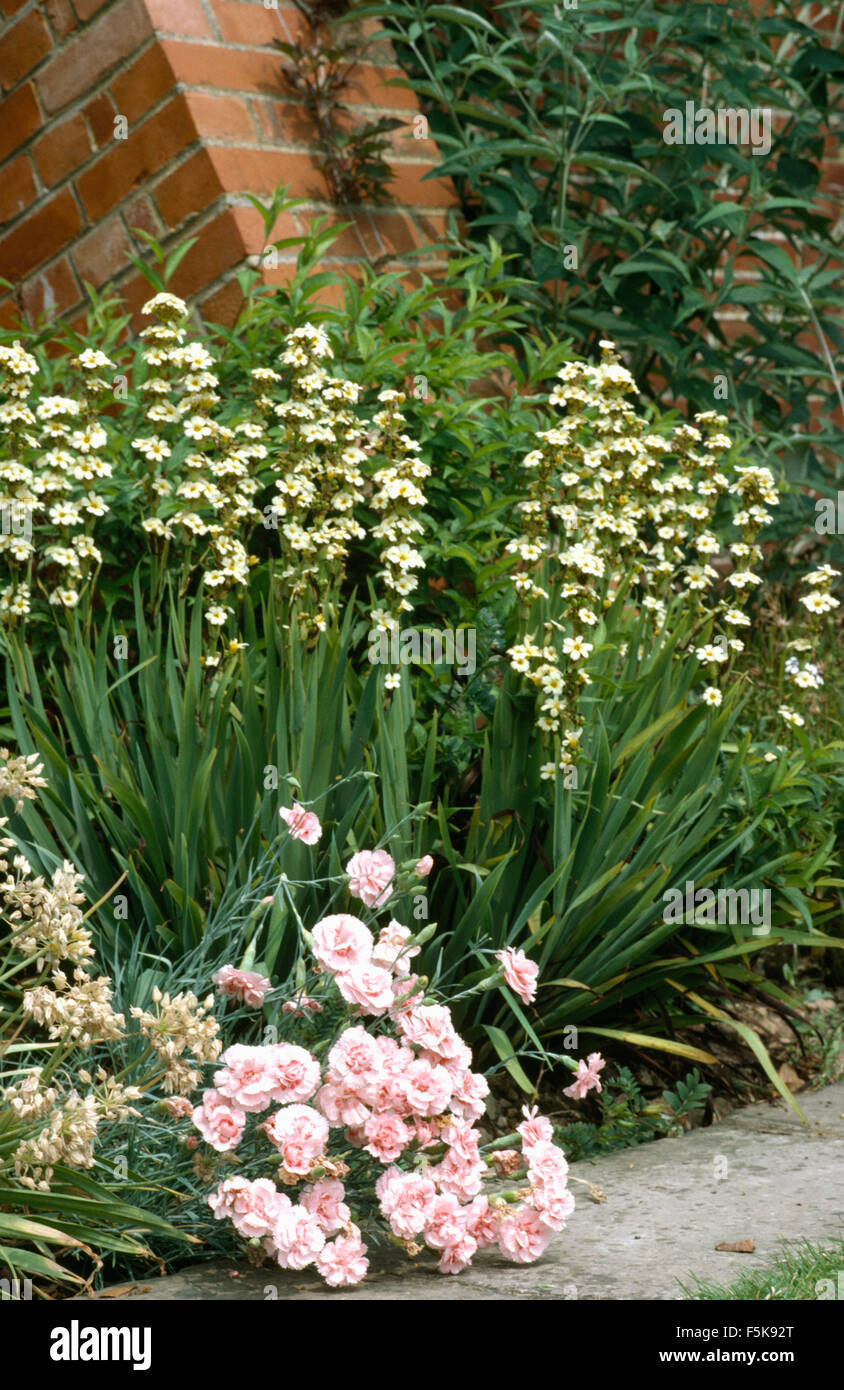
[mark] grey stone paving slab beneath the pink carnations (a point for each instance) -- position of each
(761, 1175)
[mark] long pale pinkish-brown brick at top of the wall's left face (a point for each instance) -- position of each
(92, 54)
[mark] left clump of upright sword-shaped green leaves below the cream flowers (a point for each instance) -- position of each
(173, 778)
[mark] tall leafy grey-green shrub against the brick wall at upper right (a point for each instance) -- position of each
(551, 122)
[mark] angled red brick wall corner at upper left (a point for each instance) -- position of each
(206, 122)
